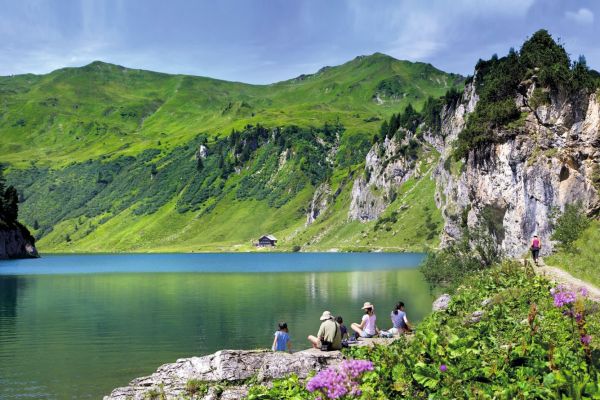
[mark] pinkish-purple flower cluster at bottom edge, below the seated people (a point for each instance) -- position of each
(335, 383)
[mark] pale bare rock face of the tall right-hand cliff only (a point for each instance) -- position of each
(537, 168)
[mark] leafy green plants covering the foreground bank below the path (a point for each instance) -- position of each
(503, 336)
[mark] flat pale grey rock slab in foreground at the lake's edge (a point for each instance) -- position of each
(227, 374)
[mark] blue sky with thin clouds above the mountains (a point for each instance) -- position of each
(265, 41)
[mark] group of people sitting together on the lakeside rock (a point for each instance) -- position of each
(333, 334)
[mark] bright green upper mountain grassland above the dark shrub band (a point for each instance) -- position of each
(76, 114)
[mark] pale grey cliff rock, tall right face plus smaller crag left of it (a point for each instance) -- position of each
(515, 183)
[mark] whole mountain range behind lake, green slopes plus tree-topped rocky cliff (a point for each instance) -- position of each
(363, 156)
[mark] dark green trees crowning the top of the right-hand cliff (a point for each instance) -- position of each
(498, 81)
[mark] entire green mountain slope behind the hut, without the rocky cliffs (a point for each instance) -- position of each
(108, 158)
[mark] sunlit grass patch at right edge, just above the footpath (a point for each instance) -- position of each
(583, 261)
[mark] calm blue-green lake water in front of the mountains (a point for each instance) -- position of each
(76, 326)
